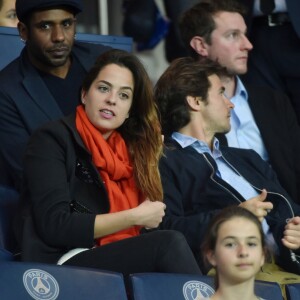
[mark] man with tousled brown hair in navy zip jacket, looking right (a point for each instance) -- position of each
(200, 177)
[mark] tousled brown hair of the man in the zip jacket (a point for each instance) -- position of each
(184, 77)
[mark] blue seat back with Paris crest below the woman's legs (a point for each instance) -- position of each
(20, 280)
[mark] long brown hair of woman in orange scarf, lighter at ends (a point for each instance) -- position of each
(141, 131)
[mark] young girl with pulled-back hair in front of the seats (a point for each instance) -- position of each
(235, 246)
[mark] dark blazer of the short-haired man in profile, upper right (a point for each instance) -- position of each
(280, 132)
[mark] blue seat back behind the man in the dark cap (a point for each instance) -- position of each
(11, 45)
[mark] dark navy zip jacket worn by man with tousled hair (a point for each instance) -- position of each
(193, 193)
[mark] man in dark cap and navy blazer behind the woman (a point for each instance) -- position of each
(44, 82)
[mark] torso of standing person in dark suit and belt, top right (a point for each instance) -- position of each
(270, 64)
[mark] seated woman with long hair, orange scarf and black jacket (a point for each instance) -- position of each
(91, 182)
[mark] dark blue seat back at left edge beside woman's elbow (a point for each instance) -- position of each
(9, 200)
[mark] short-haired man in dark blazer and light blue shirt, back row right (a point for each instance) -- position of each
(263, 119)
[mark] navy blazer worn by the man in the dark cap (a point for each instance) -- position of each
(25, 104)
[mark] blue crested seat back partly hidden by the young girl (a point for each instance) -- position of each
(162, 286)
